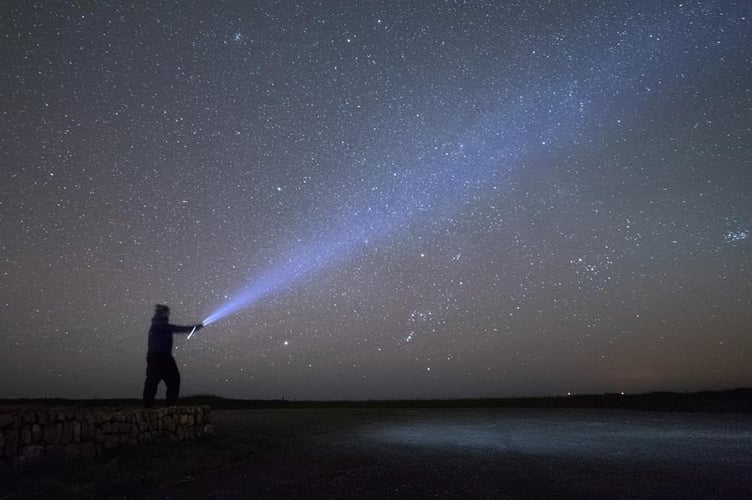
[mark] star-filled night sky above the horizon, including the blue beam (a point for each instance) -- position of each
(382, 199)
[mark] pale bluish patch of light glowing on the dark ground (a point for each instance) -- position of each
(573, 433)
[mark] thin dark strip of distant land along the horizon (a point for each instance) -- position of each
(725, 401)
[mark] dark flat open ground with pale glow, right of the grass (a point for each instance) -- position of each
(481, 453)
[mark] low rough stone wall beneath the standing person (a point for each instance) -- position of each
(29, 433)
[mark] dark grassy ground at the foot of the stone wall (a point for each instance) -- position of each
(129, 470)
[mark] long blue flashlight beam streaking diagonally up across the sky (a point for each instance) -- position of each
(558, 117)
